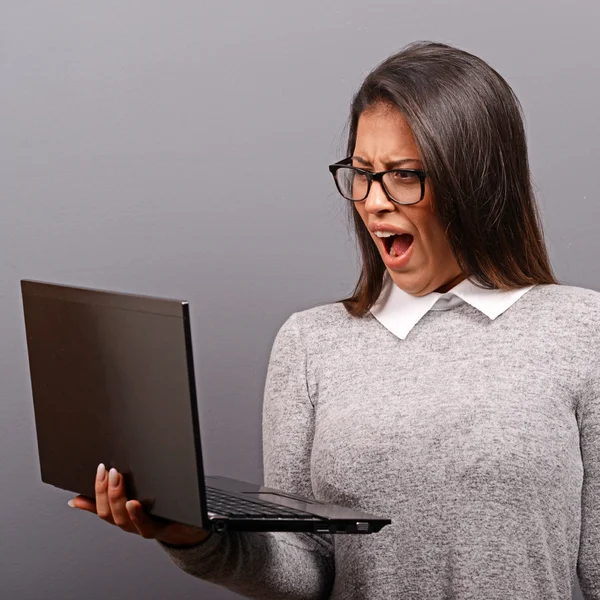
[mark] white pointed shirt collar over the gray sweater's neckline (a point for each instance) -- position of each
(400, 311)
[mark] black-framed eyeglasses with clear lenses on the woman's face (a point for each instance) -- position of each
(402, 186)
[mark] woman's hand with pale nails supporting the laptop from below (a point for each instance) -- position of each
(112, 506)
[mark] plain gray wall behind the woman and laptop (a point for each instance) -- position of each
(180, 148)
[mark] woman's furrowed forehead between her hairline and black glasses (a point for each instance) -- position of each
(383, 134)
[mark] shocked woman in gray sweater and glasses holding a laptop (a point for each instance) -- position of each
(457, 391)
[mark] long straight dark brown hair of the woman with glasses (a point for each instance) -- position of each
(468, 125)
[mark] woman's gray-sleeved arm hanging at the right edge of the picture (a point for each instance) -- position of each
(588, 419)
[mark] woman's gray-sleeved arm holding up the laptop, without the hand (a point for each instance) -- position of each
(273, 565)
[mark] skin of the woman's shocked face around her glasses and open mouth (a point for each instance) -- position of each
(383, 139)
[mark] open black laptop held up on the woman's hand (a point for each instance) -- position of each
(112, 379)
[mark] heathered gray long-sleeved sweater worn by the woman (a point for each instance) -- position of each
(480, 439)
